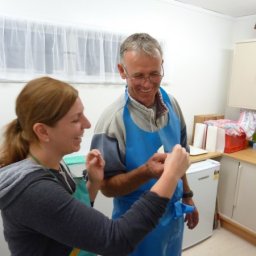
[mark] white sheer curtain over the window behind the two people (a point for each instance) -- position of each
(30, 49)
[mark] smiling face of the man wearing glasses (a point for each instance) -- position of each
(143, 75)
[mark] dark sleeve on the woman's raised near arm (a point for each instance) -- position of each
(48, 208)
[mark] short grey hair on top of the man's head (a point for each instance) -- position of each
(141, 42)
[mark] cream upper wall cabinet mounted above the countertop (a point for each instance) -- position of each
(242, 88)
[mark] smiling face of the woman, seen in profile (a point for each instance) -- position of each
(66, 135)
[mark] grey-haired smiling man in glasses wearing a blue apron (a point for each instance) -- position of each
(130, 133)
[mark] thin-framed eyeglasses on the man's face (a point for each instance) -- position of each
(154, 78)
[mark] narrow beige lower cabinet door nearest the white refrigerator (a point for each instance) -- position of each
(227, 185)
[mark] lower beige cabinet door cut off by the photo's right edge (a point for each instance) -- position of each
(244, 205)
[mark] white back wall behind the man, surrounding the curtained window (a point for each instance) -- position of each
(198, 46)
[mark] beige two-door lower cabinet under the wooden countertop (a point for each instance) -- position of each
(236, 192)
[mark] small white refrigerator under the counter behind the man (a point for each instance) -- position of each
(203, 180)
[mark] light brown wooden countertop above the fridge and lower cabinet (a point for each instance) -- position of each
(247, 155)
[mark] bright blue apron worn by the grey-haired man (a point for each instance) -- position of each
(166, 238)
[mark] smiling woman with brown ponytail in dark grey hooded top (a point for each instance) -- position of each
(40, 214)
